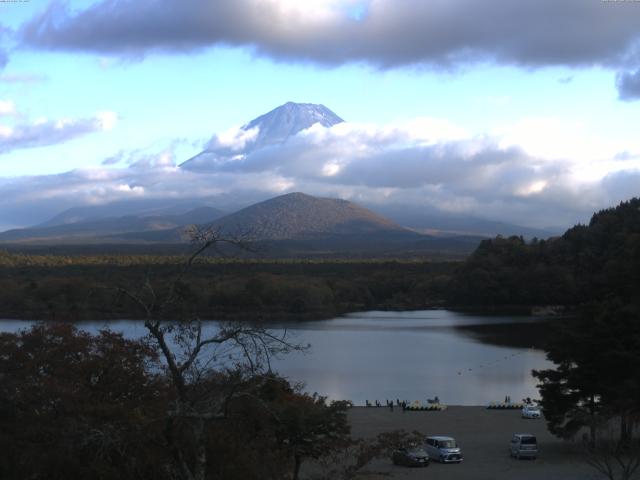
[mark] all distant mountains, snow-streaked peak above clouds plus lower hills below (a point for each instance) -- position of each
(296, 222)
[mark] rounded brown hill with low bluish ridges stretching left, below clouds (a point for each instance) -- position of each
(294, 223)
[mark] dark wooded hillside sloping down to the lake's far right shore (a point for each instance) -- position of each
(587, 263)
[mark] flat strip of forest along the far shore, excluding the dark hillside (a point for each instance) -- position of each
(66, 287)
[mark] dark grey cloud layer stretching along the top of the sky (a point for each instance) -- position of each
(381, 33)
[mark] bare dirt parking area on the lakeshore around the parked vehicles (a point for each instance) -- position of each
(484, 437)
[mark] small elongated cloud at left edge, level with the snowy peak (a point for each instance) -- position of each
(43, 132)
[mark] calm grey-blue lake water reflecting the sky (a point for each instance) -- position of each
(401, 355)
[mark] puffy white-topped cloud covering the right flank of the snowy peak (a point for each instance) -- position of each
(396, 157)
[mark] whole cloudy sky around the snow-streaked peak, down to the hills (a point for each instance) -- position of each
(524, 112)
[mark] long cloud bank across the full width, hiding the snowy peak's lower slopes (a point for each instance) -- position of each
(424, 162)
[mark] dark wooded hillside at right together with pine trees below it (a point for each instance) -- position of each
(594, 387)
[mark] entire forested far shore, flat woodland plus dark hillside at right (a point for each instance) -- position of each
(588, 263)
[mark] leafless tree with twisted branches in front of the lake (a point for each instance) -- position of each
(208, 365)
